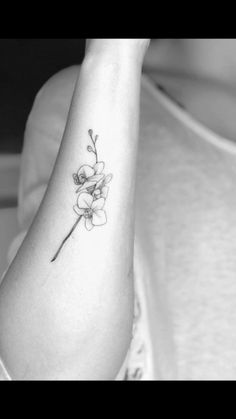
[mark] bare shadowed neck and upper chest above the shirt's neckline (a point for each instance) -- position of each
(201, 75)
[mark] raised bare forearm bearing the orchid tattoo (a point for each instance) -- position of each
(66, 302)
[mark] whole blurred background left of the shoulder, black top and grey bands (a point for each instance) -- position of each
(25, 65)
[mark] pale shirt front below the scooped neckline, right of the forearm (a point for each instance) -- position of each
(185, 242)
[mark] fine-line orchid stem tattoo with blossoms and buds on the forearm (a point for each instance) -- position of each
(92, 193)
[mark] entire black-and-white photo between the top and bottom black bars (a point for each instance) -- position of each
(117, 209)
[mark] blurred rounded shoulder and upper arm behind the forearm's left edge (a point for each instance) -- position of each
(43, 134)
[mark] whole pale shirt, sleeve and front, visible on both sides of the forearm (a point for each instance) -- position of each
(185, 236)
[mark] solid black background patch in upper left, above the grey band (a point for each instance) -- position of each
(25, 65)
